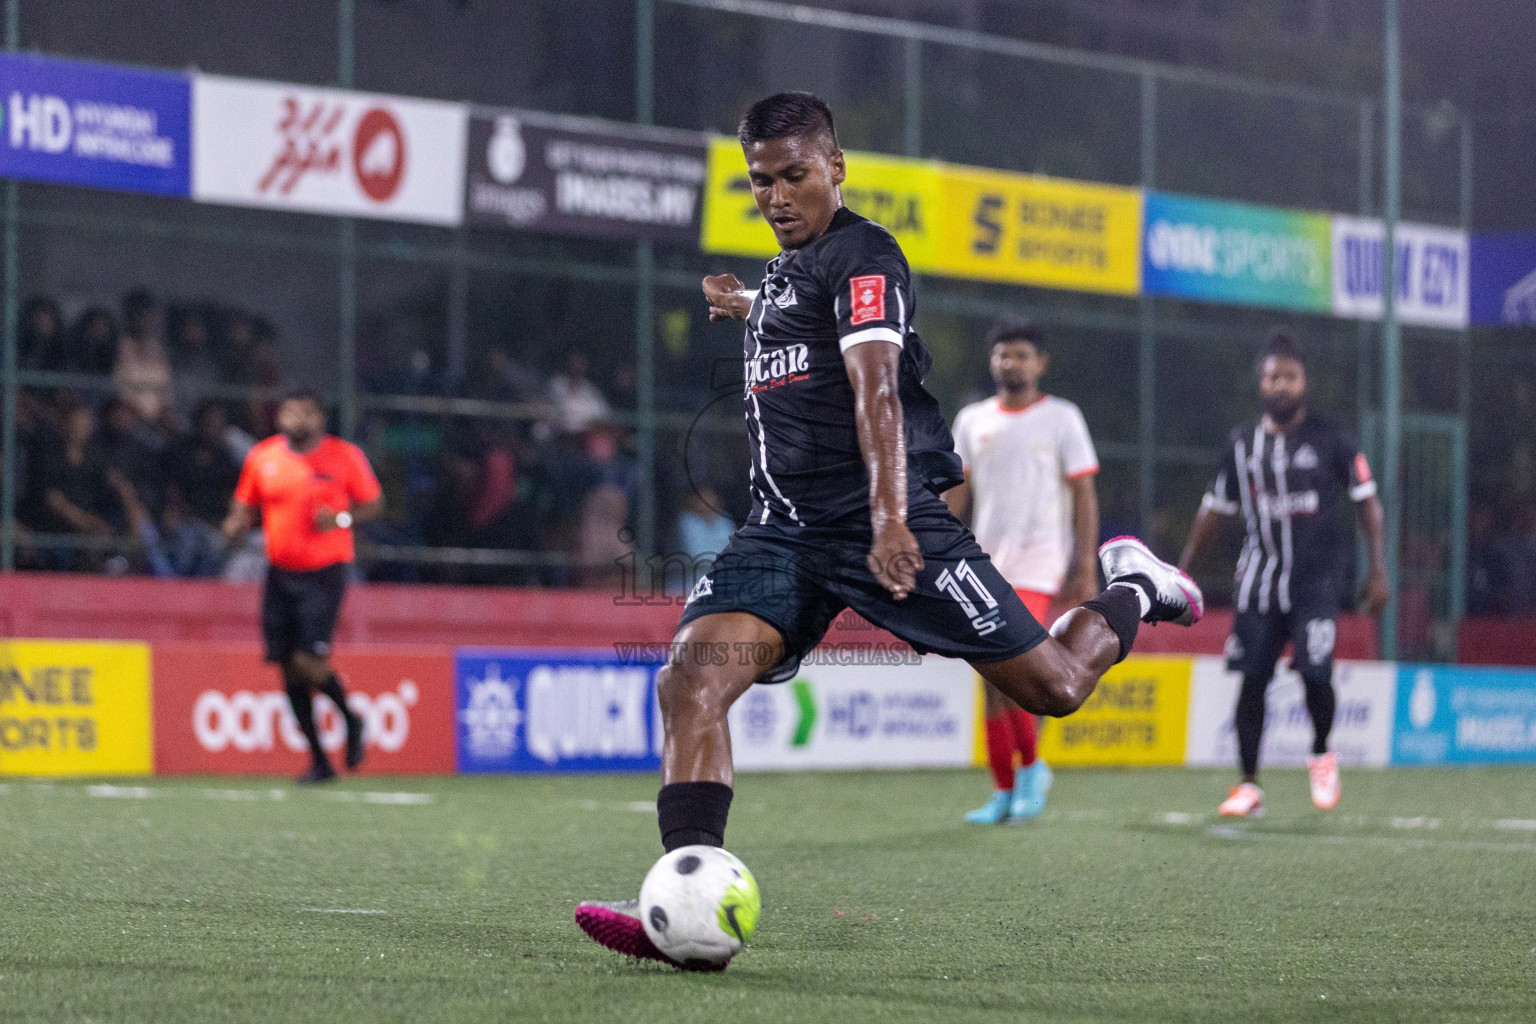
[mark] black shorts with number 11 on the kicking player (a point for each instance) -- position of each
(801, 578)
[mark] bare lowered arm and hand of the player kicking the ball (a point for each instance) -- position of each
(875, 374)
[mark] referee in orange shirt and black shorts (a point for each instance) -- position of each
(311, 491)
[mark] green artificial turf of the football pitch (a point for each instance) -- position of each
(213, 900)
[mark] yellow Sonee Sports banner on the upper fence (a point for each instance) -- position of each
(1028, 230)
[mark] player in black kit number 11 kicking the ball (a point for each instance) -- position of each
(849, 460)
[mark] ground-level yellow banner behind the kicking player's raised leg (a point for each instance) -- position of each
(1136, 716)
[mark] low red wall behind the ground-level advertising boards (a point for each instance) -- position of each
(99, 609)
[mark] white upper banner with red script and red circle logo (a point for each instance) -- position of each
(328, 151)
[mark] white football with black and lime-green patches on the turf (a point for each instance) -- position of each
(700, 903)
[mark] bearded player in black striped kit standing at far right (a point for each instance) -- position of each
(1289, 475)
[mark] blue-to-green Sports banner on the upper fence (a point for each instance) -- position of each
(1234, 253)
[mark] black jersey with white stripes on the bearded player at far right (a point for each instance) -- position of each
(1289, 491)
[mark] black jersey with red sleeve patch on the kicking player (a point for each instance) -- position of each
(847, 288)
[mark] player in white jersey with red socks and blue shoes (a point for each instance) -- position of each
(1030, 472)
